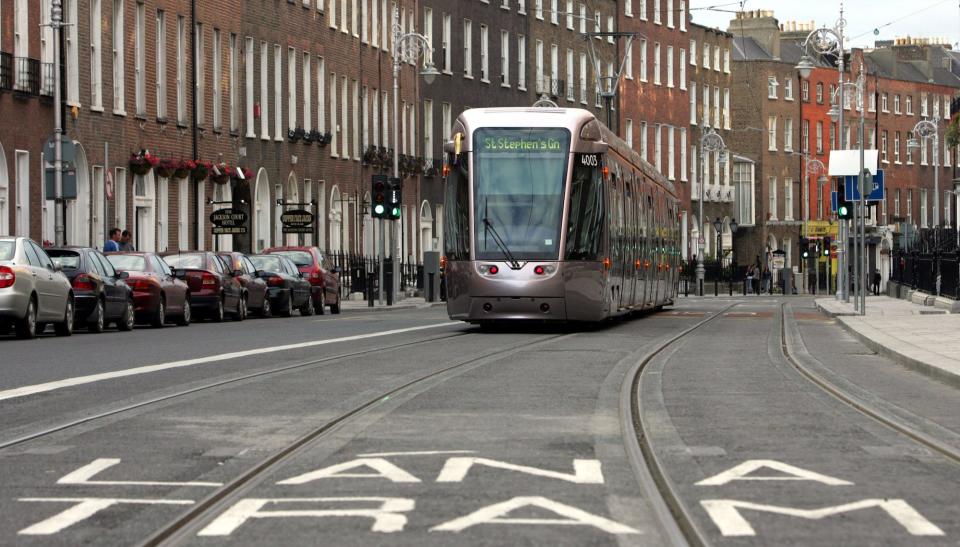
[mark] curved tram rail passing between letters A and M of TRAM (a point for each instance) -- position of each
(677, 524)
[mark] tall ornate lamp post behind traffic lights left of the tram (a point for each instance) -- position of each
(407, 48)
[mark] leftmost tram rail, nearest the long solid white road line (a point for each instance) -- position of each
(304, 364)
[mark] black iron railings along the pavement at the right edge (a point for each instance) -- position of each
(928, 261)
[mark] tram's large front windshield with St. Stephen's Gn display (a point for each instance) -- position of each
(518, 187)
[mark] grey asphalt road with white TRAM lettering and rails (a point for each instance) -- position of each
(406, 428)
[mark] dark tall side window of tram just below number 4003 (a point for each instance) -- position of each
(585, 225)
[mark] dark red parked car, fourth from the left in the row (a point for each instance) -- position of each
(213, 288)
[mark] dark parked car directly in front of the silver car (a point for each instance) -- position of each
(100, 295)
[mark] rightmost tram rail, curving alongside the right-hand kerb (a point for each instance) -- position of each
(918, 429)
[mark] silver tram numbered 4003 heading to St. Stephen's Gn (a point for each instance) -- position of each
(549, 216)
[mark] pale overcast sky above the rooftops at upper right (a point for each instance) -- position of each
(893, 18)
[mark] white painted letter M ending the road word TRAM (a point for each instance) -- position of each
(726, 515)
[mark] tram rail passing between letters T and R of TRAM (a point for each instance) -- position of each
(182, 527)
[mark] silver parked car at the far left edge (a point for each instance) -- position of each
(33, 290)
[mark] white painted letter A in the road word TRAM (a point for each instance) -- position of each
(496, 514)
